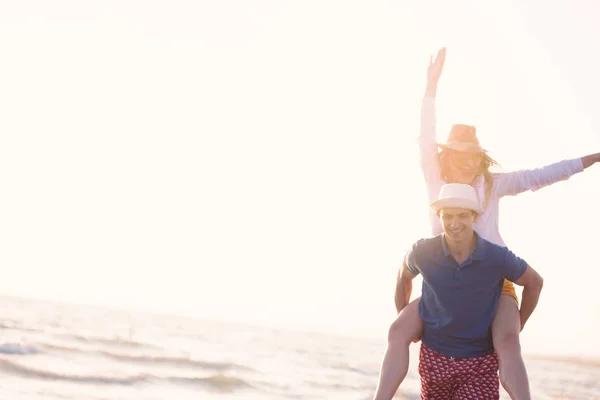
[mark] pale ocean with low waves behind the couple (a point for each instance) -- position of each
(57, 351)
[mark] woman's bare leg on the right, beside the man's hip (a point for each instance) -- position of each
(505, 332)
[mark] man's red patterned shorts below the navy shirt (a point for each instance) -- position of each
(447, 378)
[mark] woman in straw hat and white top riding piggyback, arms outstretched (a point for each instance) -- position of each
(462, 160)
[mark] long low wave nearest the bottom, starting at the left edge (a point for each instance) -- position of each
(28, 372)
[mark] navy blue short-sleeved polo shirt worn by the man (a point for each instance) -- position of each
(459, 302)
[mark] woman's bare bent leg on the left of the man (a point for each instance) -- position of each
(406, 328)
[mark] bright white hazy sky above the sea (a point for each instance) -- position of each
(257, 161)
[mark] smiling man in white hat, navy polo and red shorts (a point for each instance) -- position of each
(463, 276)
